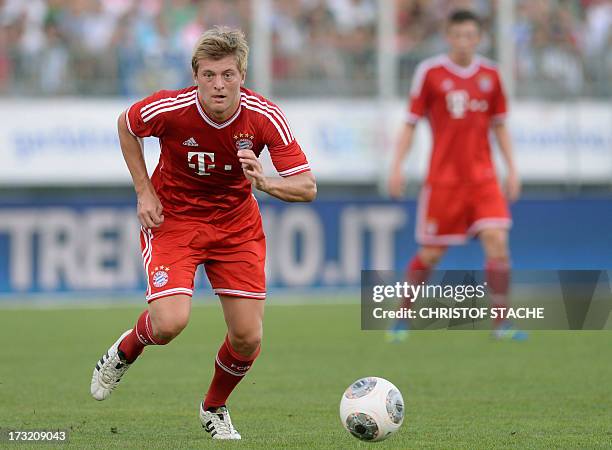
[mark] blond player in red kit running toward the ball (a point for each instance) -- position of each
(198, 208)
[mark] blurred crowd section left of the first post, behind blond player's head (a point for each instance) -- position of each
(104, 47)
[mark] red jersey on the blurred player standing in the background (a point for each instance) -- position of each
(460, 103)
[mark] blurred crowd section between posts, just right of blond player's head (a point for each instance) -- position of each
(325, 45)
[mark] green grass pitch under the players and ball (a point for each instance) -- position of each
(461, 389)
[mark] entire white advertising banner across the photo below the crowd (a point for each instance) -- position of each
(64, 142)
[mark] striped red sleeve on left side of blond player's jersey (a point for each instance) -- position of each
(146, 117)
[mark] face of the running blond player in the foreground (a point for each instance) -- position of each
(219, 84)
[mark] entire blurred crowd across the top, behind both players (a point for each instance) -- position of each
(131, 47)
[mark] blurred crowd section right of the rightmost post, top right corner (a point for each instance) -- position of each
(564, 46)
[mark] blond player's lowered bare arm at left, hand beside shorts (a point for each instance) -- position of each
(149, 207)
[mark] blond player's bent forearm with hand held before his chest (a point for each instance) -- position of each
(301, 187)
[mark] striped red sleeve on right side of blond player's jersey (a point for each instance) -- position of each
(285, 152)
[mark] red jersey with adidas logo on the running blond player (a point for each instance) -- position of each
(198, 173)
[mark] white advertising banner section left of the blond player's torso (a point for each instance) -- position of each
(62, 142)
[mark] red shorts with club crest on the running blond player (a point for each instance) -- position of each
(233, 257)
